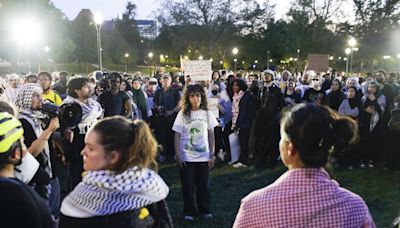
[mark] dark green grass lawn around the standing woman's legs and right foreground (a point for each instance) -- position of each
(379, 188)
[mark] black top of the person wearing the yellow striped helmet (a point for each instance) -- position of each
(21, 207)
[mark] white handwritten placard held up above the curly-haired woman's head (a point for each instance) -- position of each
(199, 70)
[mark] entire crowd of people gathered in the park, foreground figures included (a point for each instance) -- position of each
(102, 171)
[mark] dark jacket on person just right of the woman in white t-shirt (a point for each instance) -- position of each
(246, 111)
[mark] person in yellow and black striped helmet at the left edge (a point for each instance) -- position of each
(20, 206)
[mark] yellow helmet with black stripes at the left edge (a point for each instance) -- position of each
(10, 131)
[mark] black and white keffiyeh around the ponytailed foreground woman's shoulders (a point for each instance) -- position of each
(105, 192)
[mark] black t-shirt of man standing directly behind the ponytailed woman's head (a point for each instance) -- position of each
(113, 104)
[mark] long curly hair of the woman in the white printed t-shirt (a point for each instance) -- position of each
(185, 103)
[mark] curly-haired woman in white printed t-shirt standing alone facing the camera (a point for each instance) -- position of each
(194, 151)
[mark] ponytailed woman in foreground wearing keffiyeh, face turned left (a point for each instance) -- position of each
(120, 181)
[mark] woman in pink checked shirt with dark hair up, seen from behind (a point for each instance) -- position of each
(305, 196)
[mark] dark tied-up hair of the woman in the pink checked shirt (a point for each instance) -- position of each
(316, 131)
